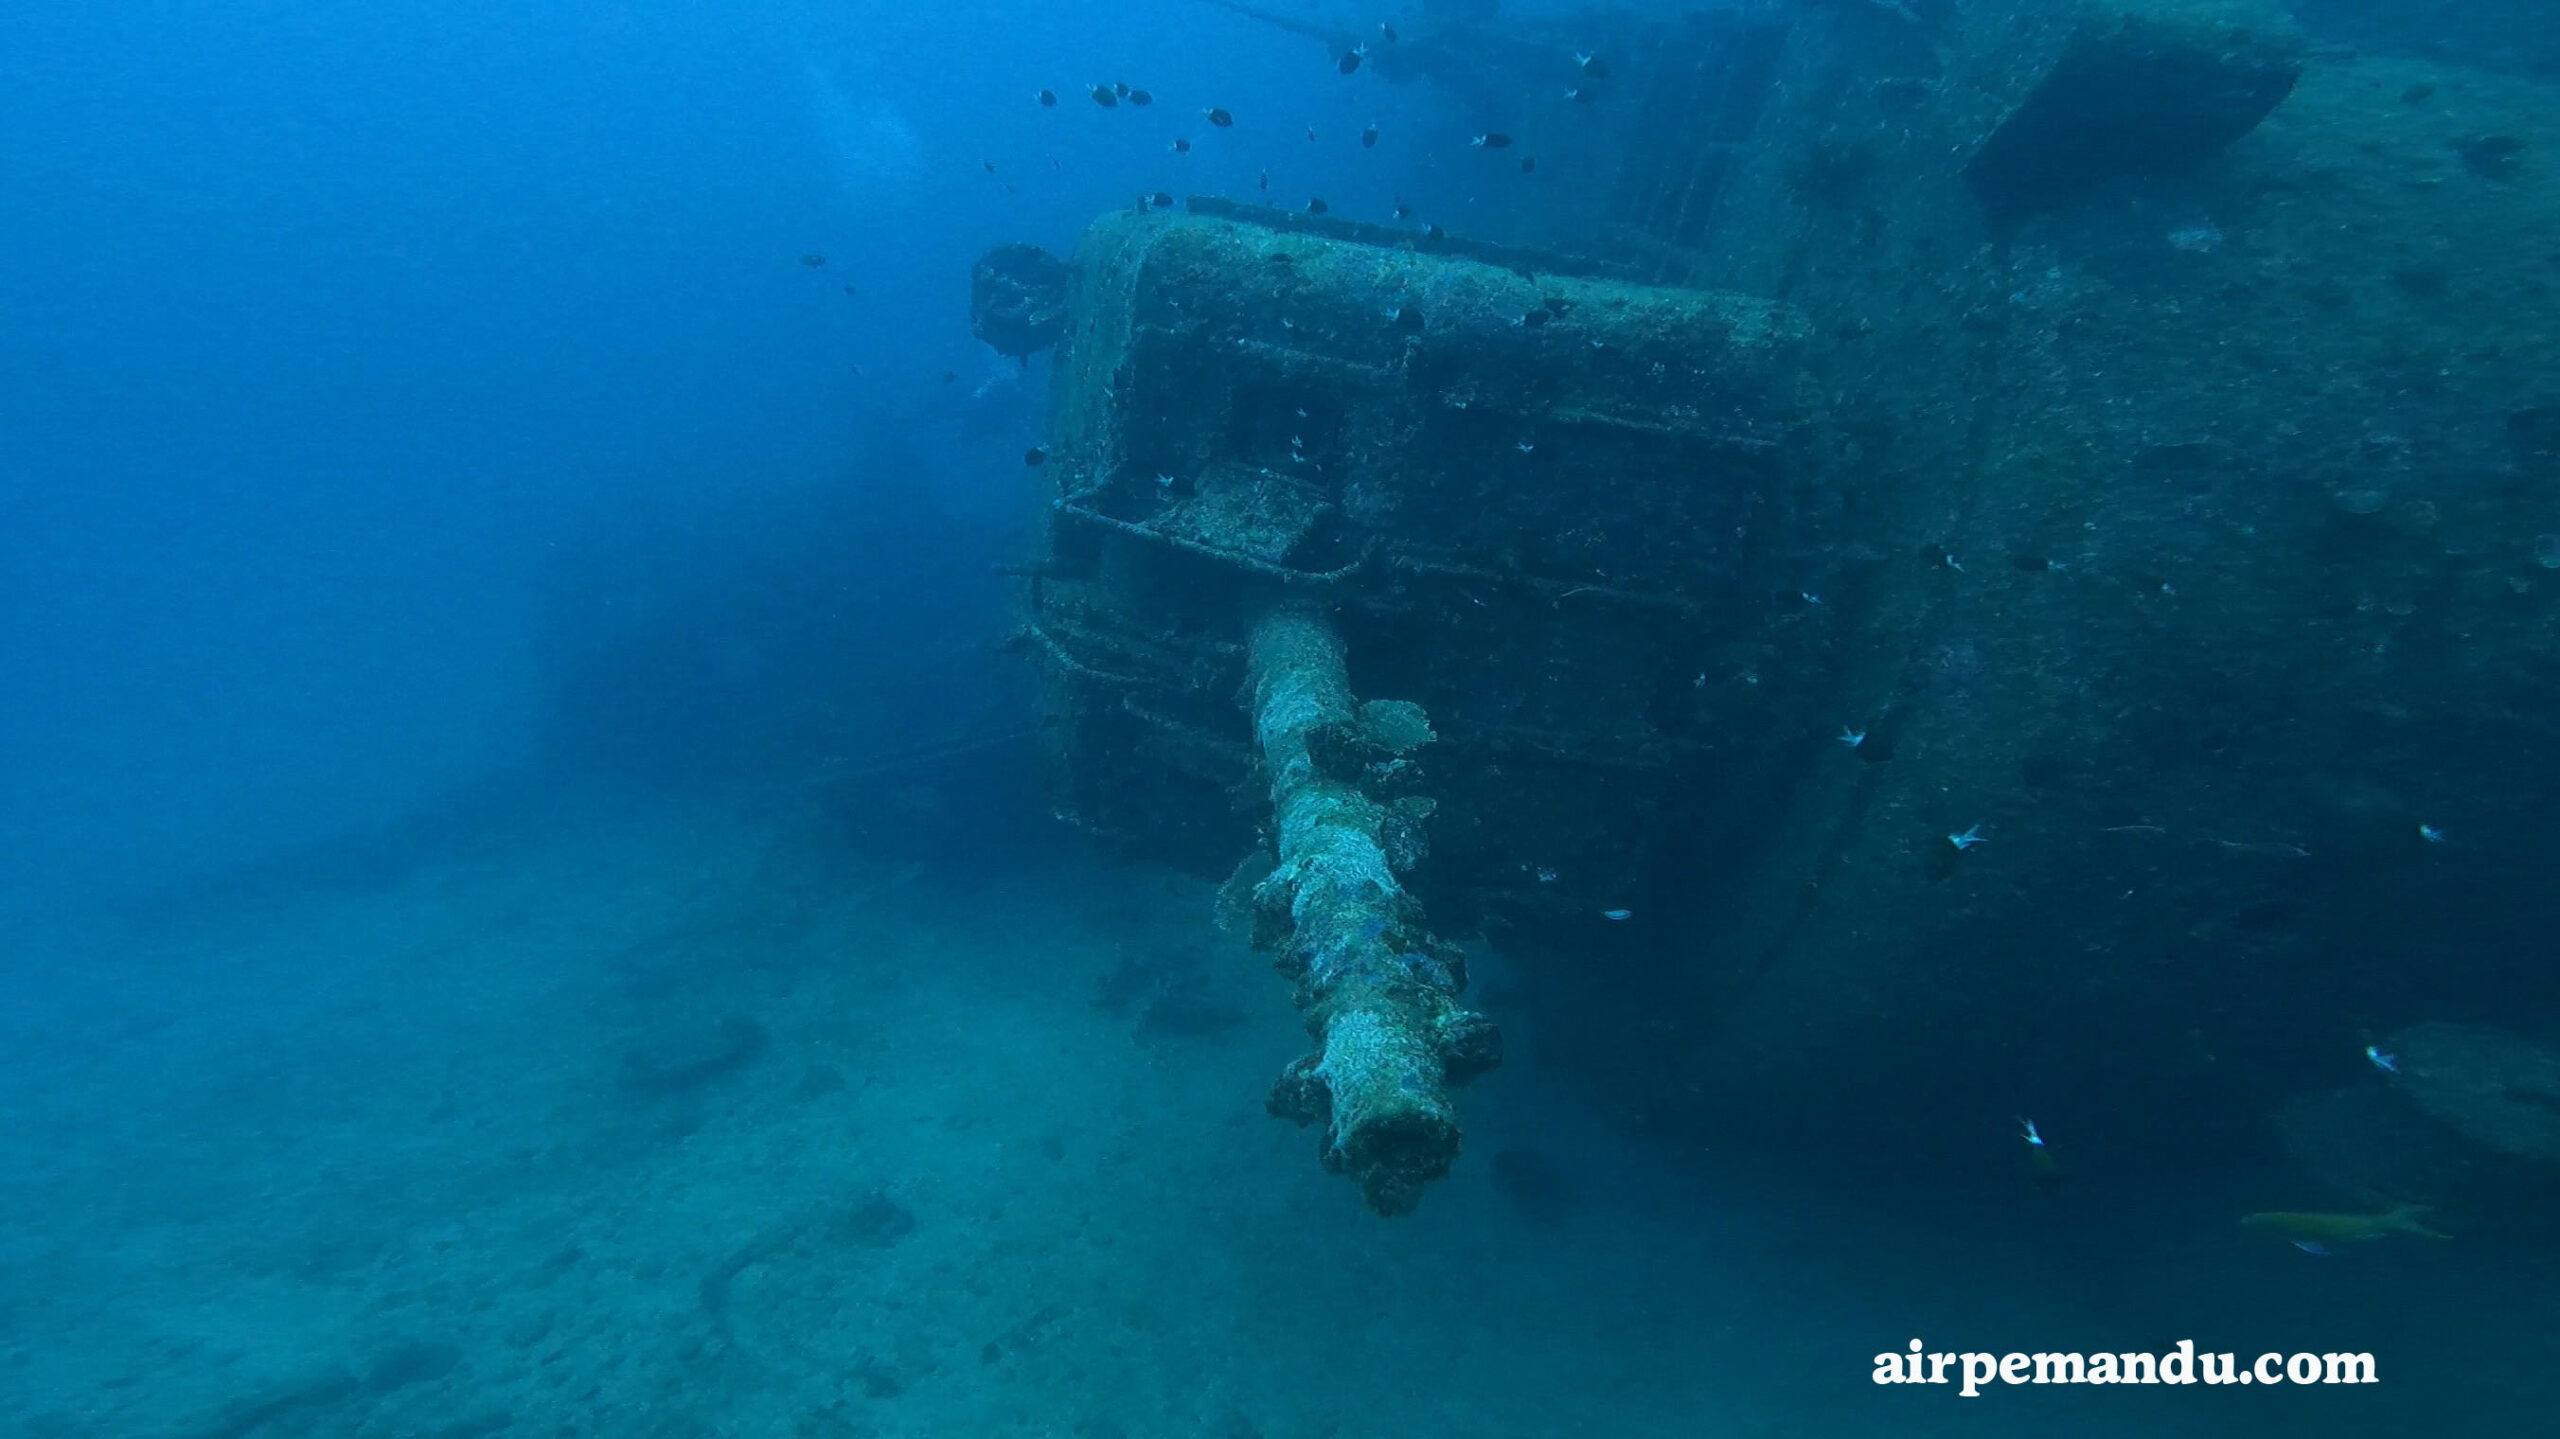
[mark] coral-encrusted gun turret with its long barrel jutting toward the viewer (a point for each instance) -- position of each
(1414, 580)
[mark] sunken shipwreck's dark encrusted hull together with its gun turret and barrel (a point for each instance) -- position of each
(1965, 667)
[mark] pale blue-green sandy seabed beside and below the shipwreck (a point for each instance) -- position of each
(657, 1120)
